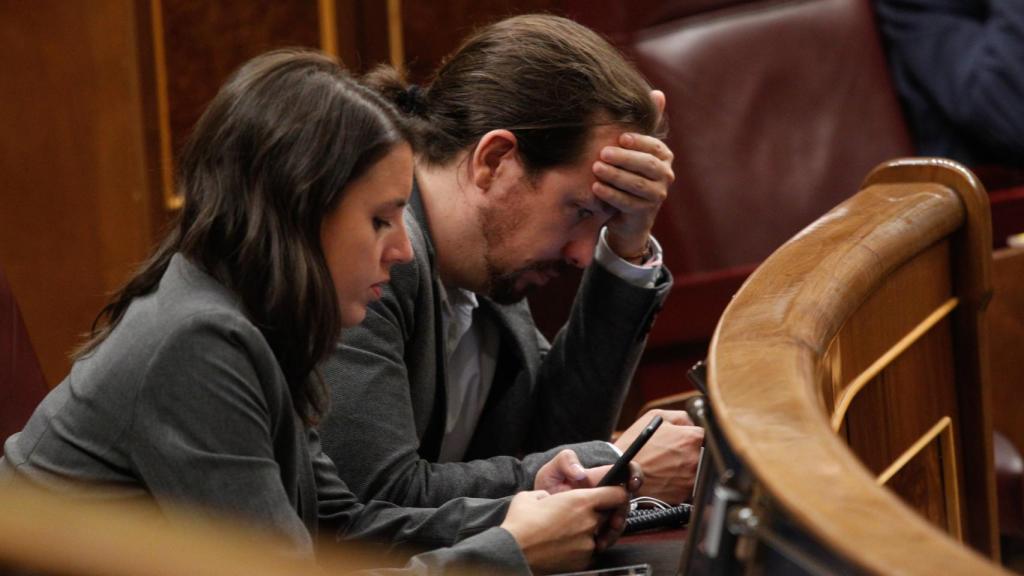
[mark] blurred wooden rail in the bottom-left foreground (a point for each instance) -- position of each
(48, 533)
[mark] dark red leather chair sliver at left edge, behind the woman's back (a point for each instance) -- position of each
(22, 383)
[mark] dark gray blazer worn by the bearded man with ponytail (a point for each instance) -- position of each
(388, 383)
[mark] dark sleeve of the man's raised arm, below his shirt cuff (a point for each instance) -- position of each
(584, 378)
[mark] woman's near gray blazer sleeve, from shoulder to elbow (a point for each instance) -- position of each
(201, 432)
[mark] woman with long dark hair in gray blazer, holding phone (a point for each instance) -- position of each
(199, 385)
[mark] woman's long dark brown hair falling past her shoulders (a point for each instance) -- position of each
(269, 159)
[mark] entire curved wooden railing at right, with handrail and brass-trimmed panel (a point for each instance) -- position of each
(849, 385)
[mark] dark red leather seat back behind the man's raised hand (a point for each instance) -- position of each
(777, 109)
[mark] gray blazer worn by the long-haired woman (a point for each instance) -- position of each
(185, 402)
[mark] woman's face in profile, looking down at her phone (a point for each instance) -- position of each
(365, 234)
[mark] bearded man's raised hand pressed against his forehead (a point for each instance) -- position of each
(633, 180)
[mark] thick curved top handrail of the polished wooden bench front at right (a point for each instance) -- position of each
(766, 355)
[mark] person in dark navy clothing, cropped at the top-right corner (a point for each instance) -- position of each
(959, 68)
